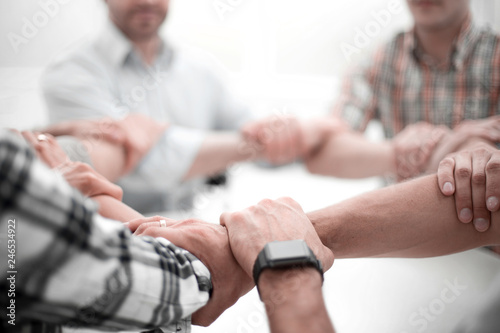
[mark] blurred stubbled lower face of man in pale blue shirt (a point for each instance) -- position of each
(138, 19)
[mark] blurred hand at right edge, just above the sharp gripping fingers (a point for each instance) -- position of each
(485, 129)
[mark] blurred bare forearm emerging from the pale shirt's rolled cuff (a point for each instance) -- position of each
(218, 152)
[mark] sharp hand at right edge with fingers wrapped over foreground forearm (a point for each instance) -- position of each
(473, 176)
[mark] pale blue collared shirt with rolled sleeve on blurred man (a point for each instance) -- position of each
(107, 78)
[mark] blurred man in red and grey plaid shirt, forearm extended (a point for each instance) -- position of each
(422, 86)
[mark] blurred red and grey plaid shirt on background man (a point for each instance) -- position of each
(400, 87)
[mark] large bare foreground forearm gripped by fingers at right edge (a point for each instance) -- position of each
(411, 219)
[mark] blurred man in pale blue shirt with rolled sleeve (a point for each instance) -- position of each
(130, 68)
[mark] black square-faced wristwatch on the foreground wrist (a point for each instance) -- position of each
(285, 254)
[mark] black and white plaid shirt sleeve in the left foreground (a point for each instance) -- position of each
(75, 268)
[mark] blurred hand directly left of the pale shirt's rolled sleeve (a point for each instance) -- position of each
(141, 134)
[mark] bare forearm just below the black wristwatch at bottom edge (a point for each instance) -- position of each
(294, 301)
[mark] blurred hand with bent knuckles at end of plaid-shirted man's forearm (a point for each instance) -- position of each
(414, 146)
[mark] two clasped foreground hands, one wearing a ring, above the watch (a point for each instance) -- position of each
(229, 250)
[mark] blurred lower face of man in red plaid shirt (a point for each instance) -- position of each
(436, 14)
